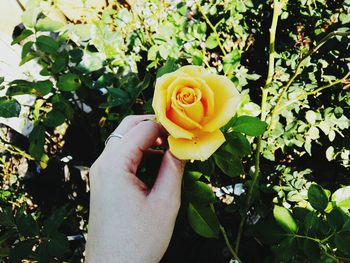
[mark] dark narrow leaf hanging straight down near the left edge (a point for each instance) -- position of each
(36, 142)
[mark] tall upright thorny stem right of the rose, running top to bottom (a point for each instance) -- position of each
(277, 7)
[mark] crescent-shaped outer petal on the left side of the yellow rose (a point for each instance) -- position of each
(159, 106)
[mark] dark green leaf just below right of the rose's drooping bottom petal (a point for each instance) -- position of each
(228, 163)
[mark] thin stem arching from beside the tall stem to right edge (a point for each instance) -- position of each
(297, 71)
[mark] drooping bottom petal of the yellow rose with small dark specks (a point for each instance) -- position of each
(199, 148)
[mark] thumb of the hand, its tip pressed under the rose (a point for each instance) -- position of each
(168, 183)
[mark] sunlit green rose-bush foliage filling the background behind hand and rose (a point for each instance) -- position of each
(278, 186)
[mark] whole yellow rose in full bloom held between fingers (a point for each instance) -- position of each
(192, 105)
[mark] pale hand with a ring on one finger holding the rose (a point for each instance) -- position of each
(129, 222)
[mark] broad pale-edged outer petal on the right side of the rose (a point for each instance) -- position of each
(227, 99)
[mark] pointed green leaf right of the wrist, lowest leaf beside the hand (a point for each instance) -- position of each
(203, 220)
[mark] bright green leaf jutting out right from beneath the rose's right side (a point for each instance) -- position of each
(249, 125)
